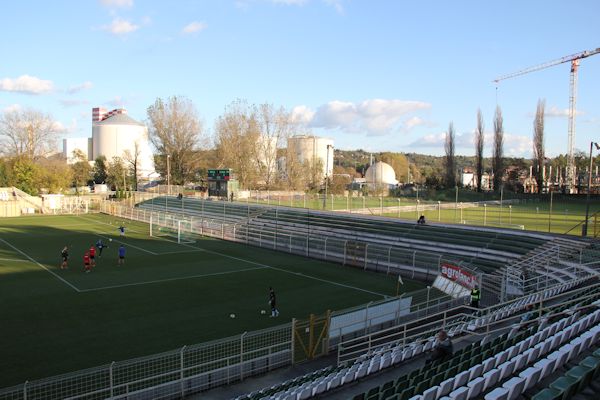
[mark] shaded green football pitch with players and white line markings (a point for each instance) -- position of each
(165, 296)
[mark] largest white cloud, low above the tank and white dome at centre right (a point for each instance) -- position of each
(373, 116)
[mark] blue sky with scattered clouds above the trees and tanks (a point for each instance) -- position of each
(377, 75)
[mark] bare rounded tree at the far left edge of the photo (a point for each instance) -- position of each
(27, 133)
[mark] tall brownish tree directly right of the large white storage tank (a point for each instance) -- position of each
(175, 130)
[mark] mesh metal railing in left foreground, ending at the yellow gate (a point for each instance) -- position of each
(170, 374)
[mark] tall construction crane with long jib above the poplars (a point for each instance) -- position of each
(574, 59)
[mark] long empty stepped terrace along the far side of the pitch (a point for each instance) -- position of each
(486, 249)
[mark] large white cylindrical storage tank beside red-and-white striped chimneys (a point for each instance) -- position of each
(119, 134)
